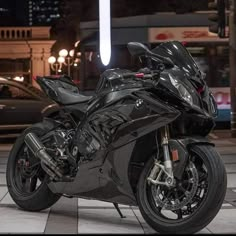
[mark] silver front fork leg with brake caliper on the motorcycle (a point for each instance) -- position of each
(166, 169)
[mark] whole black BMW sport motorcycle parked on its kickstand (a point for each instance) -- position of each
(141, 140)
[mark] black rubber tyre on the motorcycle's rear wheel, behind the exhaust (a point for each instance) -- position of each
(42, 197)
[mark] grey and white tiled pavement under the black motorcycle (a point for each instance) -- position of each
(80, 216)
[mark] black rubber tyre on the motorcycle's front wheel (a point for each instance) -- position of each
(208, 206)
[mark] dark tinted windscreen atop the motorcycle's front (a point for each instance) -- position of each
(179, 55)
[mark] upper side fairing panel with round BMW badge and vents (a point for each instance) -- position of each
(115, 122)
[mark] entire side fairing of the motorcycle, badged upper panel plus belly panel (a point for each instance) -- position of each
(116, 128)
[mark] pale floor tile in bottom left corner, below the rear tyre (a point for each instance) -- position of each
(14, 220)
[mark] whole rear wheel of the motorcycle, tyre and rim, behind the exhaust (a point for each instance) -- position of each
(26, 180)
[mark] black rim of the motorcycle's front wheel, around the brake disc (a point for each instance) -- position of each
(174, 194)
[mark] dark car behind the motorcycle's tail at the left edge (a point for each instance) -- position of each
(21, 105)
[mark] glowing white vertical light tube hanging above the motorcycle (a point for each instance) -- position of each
(105, 30)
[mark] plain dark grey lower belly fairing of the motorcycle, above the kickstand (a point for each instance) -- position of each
(108, 182)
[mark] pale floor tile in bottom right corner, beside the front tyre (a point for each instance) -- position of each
(224, 222)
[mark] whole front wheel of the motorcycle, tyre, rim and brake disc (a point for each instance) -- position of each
(193, 202)
